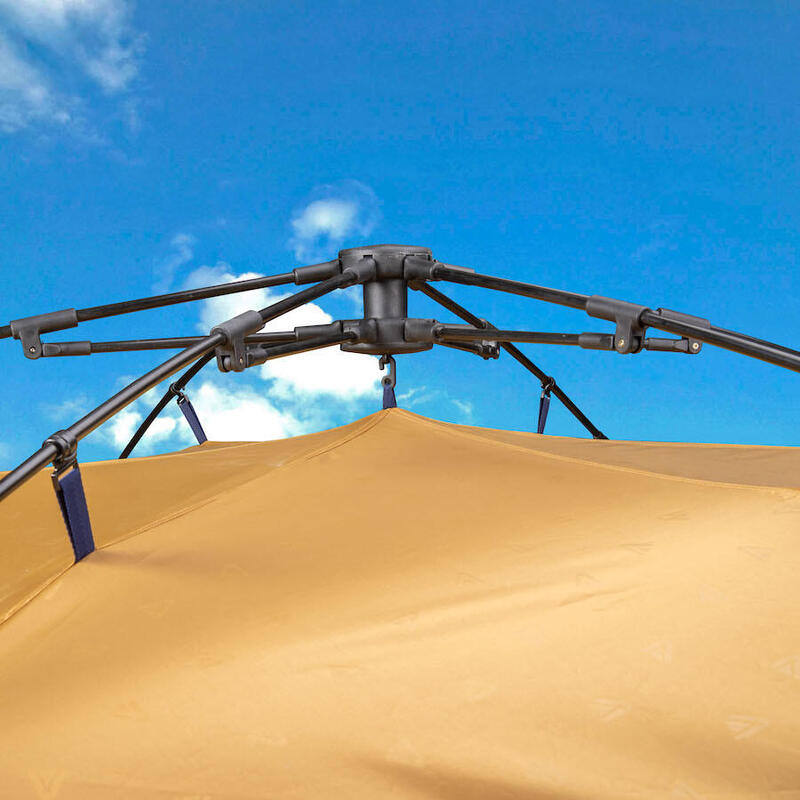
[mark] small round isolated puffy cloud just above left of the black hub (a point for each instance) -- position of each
(333, 214)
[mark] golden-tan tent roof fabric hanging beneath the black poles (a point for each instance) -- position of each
(405, 608)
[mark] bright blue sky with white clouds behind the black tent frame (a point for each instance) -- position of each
(641, 150)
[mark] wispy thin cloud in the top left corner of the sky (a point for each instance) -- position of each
(49, 45)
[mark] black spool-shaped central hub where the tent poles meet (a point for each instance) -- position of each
(386, 297)
